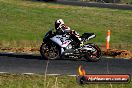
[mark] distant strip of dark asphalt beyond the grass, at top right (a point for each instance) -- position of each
(95, 4)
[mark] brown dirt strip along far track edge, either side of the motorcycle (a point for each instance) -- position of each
(112, 52)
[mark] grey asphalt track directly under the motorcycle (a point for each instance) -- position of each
(14, 63)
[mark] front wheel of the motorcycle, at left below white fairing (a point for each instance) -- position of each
(49, 51)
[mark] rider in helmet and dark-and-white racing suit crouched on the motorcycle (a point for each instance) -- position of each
(62, 29)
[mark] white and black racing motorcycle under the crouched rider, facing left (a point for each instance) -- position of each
(56, 46)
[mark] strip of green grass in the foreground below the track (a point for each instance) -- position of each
(38, 81)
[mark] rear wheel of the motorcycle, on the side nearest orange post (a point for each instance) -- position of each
(94, 55)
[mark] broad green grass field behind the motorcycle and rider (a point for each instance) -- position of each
(27, 21)
